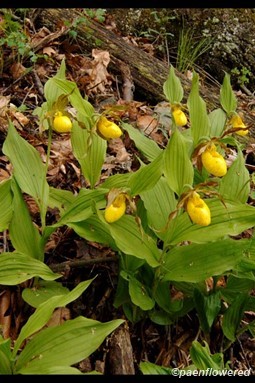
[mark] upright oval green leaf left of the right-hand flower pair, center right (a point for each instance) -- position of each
(178, 168)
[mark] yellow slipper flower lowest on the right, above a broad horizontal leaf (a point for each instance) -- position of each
(198, 210)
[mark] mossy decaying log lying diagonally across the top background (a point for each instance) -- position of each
(148, 72)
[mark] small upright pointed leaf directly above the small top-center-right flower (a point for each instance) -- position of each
(172, 87)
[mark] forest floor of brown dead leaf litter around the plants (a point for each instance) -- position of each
(76, 258)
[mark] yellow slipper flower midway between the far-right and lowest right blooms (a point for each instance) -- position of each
(214, 162)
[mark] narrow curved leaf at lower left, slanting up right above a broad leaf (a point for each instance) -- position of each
(44, 311)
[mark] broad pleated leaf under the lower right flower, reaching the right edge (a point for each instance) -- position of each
(230, 220)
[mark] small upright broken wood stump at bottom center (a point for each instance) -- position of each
(120, 355)
